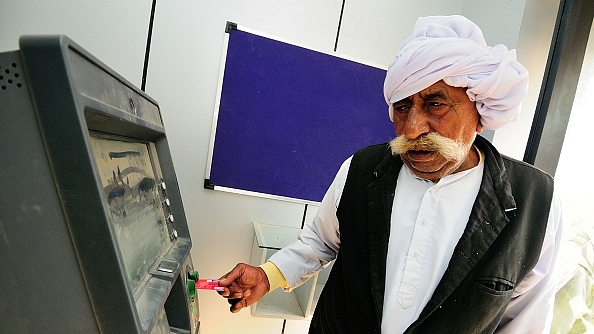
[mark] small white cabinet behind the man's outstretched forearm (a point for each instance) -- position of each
(297, 304)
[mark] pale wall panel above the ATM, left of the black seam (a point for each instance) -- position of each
(113, 31)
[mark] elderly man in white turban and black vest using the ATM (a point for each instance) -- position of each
(435, 232)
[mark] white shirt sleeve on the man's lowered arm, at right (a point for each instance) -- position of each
(531, 307)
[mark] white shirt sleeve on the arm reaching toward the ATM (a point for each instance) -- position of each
(319, 241)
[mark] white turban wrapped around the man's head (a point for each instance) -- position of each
(453, 49)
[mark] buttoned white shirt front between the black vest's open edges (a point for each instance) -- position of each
(424, 232)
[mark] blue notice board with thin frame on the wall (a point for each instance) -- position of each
(289, 116)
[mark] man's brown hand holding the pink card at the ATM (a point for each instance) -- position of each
(244, 285)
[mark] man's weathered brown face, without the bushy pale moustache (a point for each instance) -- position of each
(446, 111)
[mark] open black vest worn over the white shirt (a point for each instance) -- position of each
(500, 245)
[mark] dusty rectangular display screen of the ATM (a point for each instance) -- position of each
(136, 209)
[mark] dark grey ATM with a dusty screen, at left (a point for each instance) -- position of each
(93, 234)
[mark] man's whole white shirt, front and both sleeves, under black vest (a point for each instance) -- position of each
(421, 243)
